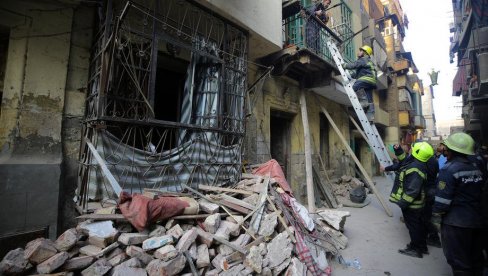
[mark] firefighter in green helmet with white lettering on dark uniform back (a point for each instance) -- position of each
(457, 209)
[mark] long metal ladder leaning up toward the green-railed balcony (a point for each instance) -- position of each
(369, 128)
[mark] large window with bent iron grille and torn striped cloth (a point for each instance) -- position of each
(166, 101)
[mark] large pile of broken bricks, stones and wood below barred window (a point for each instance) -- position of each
(254, 228)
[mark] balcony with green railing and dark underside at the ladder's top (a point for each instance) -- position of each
(305, 56)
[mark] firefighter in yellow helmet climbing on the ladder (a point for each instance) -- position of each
(365, 76)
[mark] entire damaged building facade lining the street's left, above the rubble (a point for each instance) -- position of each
(151, 94)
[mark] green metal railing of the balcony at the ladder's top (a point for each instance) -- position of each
(308, 32)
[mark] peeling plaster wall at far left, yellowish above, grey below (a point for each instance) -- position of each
(31, 118)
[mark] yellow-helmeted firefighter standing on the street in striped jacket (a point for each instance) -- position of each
(408, 193)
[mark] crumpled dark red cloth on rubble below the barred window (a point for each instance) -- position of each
(140, 210)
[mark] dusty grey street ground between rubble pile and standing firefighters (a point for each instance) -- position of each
(374, 239)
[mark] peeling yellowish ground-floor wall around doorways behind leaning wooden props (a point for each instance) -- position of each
(283, 94)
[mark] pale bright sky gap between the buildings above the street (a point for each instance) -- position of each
(427, 37)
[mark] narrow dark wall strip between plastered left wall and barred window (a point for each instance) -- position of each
(74, 109)
